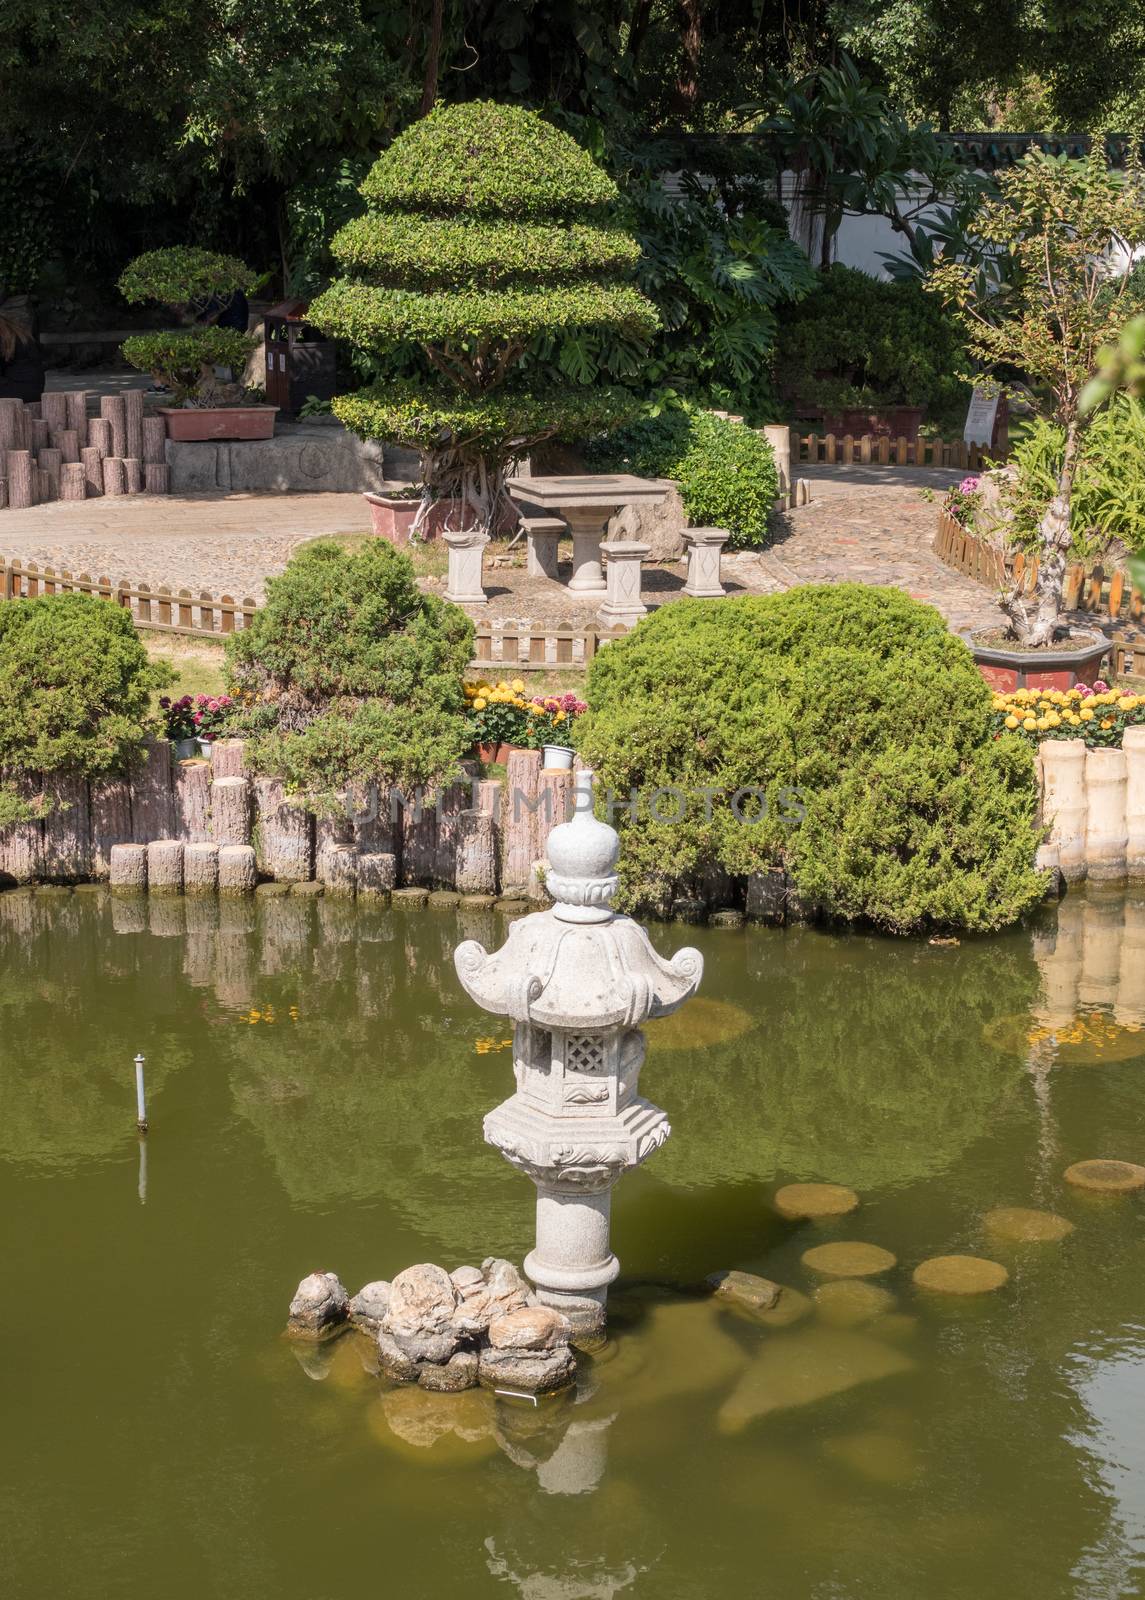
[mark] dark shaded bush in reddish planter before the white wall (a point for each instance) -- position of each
(858, 342)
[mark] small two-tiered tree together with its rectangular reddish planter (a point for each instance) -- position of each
(209, 294)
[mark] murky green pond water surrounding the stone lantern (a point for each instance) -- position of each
(317, 1082)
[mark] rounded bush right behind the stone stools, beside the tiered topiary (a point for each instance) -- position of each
(727, 471)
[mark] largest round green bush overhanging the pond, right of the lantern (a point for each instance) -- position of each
(861, 722)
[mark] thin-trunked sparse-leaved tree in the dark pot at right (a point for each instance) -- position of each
(1063, 302)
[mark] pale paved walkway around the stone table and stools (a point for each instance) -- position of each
(868, 532)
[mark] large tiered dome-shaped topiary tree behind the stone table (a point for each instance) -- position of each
(487, 239)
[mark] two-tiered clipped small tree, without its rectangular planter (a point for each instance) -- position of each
(196, 286)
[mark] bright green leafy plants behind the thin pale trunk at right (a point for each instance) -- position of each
(1107, 503)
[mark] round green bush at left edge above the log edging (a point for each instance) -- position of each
(76, 689)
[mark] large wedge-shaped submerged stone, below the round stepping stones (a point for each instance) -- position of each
(804, 1369)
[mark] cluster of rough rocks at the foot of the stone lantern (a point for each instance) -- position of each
(447, 1330)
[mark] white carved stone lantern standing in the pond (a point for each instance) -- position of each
(578, 982)
